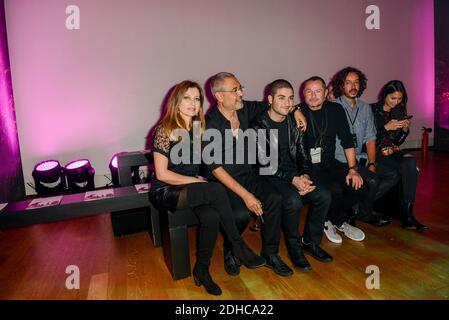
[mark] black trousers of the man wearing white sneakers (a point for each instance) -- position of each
(332, 176)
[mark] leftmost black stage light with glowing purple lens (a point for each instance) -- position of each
(48, 178)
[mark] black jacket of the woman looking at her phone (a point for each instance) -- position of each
(386, 138)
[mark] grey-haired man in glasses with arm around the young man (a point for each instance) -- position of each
(247, 191)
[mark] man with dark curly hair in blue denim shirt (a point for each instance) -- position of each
(349, 85)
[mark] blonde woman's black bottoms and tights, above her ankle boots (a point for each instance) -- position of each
(210, 204)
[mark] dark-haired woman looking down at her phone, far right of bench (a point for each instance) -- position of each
(393, 127)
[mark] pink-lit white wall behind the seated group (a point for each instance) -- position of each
(98, 90)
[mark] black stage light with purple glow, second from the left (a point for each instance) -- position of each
(80, 176)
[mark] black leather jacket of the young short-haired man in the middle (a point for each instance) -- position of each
(297, 146)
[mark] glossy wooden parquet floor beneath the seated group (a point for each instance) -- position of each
(412, 265)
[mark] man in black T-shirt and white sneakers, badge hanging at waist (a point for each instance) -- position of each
(327, 124)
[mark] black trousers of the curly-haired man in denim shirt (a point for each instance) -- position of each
(379, 183)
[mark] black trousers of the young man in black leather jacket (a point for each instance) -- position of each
(319, 200)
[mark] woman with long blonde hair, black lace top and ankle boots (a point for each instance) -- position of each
(177, 185)
